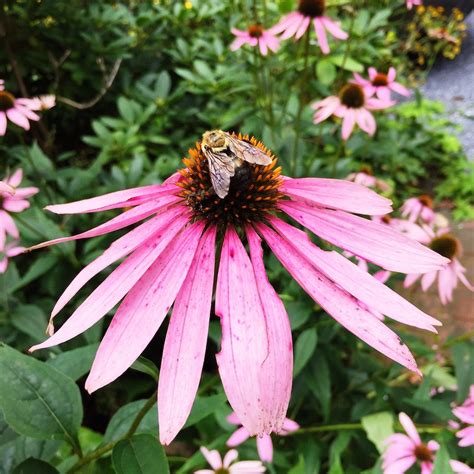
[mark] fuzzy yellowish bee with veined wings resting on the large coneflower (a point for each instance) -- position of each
(225, 154)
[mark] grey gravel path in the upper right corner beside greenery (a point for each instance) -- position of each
(452, 82)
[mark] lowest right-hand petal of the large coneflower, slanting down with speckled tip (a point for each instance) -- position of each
(338, 303)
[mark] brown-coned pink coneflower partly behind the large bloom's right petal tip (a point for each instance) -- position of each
(447, 245)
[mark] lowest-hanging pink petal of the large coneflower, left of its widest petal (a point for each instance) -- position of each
(185, 344)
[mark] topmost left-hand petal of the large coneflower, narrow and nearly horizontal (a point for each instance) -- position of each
(113, 200)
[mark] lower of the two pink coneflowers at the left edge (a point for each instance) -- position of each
(13, 199)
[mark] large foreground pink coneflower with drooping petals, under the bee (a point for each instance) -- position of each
(170, 258)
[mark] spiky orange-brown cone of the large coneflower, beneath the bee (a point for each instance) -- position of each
(253, 191)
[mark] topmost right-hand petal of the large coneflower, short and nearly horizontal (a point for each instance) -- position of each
(337, 194)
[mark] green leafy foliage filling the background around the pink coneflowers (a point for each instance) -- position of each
(175, 78)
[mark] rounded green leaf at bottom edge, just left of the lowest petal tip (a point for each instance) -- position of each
(141, 454)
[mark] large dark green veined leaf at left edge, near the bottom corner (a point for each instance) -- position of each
(38, 400)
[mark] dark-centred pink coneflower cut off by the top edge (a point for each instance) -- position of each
(310, 11)
